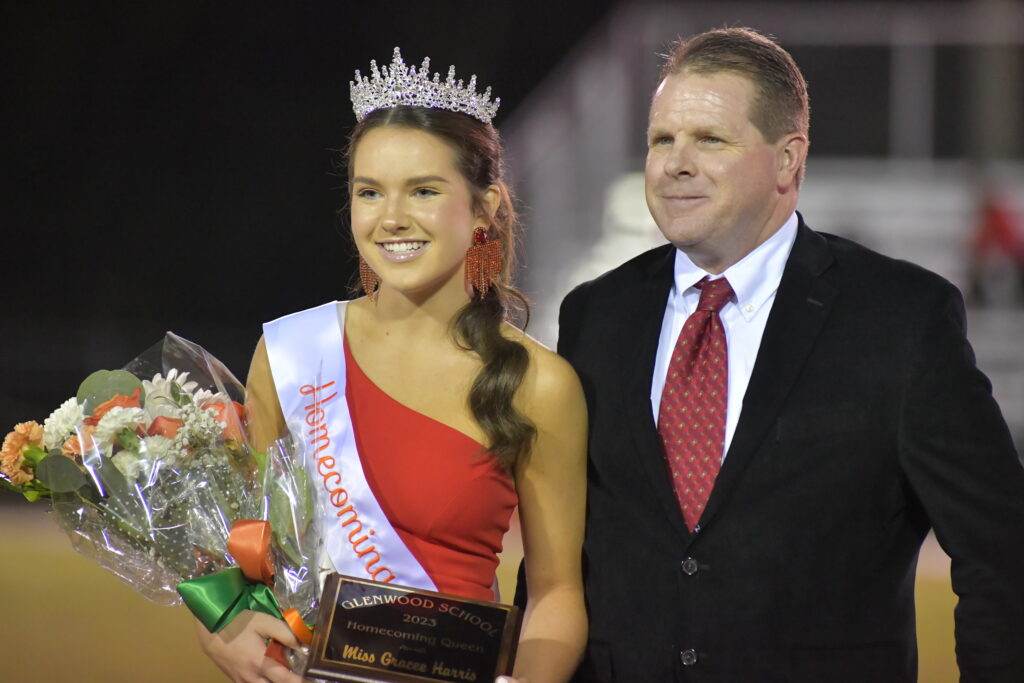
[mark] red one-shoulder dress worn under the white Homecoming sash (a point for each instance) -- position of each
(448, 499)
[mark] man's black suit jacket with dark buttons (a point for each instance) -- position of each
(865, 424)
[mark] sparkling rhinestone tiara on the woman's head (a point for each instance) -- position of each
(399, 86)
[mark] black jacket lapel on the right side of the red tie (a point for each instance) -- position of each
(801, 307)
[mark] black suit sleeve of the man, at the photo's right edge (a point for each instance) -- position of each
(959, 458)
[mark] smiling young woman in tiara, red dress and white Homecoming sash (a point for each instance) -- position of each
(457, 416)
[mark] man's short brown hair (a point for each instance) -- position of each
(781, 104)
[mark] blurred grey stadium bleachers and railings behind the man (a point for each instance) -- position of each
(942, 83)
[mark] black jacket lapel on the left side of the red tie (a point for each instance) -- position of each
(638, 341)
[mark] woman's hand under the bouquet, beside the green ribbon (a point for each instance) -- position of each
(238, 649)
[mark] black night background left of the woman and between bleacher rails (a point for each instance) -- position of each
(175, 165)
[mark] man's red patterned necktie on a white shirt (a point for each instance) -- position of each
(692, 418)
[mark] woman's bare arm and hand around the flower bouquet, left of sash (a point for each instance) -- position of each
(238, 650)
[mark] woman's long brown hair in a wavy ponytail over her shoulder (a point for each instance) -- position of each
(478, 327)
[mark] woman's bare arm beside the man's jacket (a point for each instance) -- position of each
(551, 483)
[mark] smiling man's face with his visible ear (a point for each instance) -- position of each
(713, 184)
